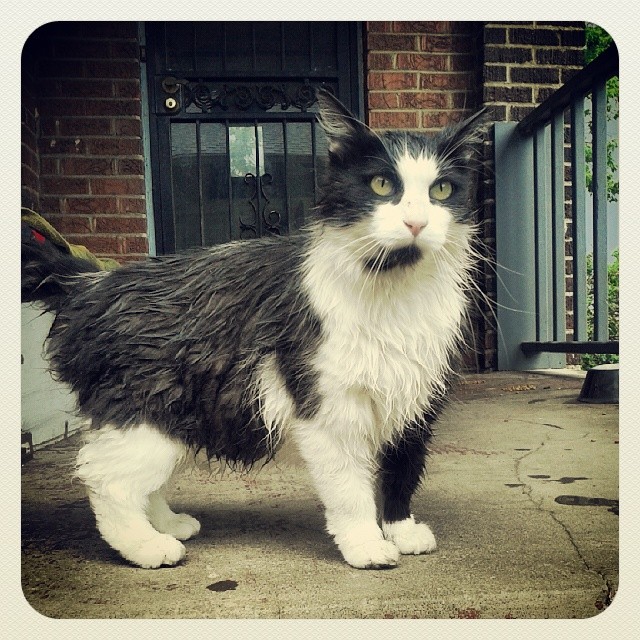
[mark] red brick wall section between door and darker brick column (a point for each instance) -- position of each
(421, 75)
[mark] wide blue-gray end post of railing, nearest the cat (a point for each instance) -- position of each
(517, 250)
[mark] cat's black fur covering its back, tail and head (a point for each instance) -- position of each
(176, 341)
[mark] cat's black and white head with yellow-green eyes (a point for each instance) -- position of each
(401, 192)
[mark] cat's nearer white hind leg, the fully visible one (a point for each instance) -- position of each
(121, 469)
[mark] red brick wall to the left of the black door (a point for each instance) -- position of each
(91, 182)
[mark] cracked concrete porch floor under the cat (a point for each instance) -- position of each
(521, 493)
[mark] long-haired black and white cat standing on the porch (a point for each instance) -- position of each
(341, 339)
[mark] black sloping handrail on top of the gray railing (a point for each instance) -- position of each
(605, 66)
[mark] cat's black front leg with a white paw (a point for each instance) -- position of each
(401, 468)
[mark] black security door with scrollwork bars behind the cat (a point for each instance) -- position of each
(236, 151)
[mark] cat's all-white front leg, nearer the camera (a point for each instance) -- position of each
(343, 468)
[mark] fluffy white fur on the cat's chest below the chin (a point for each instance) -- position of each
(386, 338)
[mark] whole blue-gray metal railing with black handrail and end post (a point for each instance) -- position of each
(540, 194)
